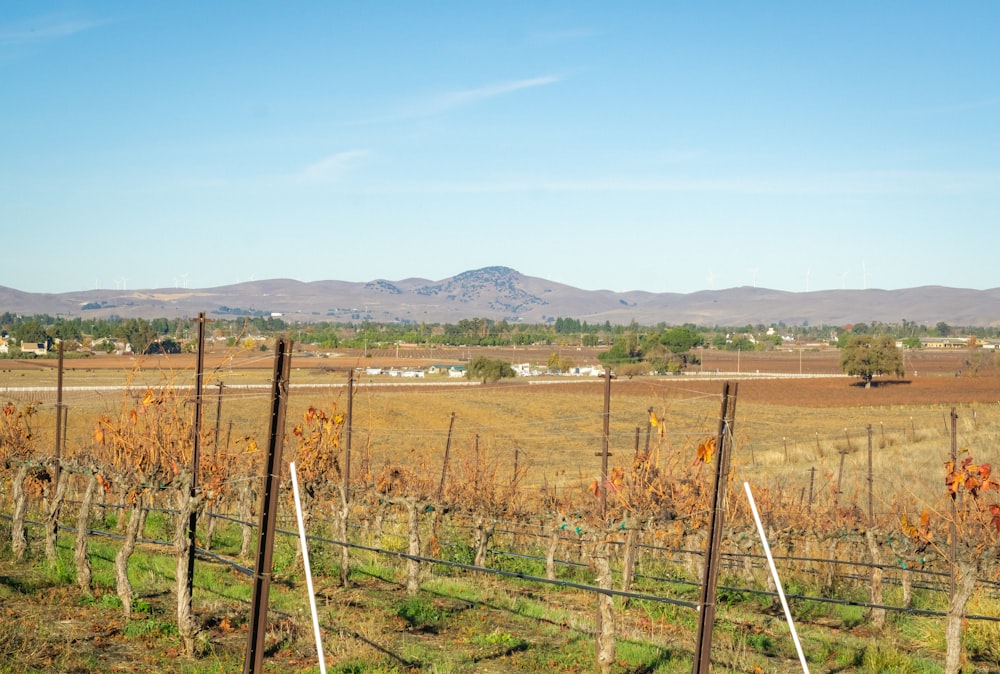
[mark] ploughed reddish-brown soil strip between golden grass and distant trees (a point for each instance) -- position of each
(932, 377)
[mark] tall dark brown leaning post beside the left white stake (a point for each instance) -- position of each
(254, 661)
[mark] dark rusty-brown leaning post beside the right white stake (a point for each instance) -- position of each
(706, 603)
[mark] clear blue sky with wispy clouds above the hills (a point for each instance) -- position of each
(661, 146)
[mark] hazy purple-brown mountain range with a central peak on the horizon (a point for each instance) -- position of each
(502, 293)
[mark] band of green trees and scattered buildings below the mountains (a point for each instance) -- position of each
(668, 348)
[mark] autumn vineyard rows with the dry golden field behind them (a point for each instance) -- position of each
(534, 526)
